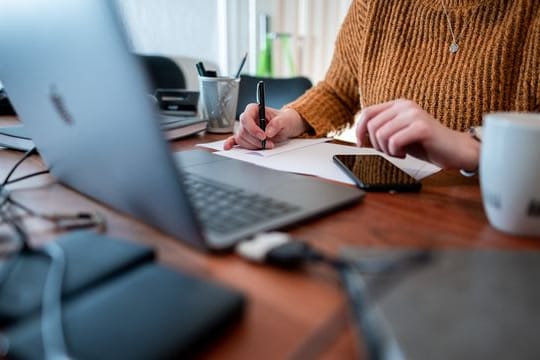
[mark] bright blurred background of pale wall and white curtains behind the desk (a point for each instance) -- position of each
(282, 37)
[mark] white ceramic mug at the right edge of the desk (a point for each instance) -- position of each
(510, 171)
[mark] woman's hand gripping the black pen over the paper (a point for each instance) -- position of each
(280, 126)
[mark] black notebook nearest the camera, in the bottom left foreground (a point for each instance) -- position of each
(150, 313)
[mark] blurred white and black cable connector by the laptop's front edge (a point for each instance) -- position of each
(278, 249)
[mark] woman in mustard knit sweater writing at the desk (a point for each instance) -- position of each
(422, 72)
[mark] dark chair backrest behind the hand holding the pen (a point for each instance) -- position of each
(278, 91)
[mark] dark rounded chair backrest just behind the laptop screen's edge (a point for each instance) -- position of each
(163, 72)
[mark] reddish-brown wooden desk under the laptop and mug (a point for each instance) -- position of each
(293, 314)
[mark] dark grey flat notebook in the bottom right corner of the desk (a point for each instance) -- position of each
(466, 304)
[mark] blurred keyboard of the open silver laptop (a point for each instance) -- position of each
(223, 208)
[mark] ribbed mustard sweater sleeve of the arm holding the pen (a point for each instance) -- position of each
(333, 102)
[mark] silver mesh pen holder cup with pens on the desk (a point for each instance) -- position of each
(217, 102)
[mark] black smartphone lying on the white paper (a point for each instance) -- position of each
(375, 173)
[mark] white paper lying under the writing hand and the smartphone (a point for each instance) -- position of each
(314, 157)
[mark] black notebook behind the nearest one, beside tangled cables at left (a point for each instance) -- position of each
(90, 260)
